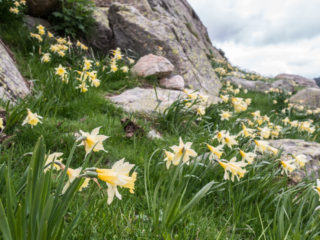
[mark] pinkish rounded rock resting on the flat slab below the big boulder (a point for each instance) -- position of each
(152, 65)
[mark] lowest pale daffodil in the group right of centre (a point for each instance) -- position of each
(236, 169)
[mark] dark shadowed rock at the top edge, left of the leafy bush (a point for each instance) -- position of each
(41, 8)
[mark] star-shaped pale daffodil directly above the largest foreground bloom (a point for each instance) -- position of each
(93, 141)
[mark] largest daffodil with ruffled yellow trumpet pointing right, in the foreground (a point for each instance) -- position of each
(118, 175)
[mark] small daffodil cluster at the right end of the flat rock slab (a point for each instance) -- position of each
(198, 100)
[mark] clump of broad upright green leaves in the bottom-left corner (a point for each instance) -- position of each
(35, 209)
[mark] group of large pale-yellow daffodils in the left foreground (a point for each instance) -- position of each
(116, 176)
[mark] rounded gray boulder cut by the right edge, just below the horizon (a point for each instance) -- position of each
(309, 97)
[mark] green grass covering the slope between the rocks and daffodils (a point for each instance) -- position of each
(260, 206)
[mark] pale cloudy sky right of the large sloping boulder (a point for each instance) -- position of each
(266, 36)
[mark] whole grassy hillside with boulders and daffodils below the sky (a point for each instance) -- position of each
(147, 136)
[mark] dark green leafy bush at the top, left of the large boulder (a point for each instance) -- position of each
(74, 18)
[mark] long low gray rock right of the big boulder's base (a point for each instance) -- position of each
(260, 86)
